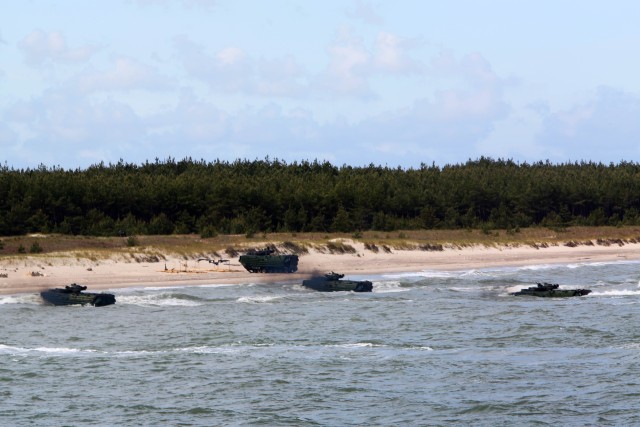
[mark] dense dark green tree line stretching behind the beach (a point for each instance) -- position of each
(246, 197)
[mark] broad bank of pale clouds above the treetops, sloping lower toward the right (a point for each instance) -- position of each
(368, 92)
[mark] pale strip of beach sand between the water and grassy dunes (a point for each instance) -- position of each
(29, 274)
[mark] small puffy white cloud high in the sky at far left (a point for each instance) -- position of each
(41, 47)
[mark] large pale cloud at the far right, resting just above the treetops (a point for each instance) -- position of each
(604, 128)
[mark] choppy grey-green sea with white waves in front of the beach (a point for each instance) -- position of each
(423, 349)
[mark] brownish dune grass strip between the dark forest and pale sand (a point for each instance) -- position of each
(193, 246)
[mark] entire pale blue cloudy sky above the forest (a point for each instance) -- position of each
(397, 83)
